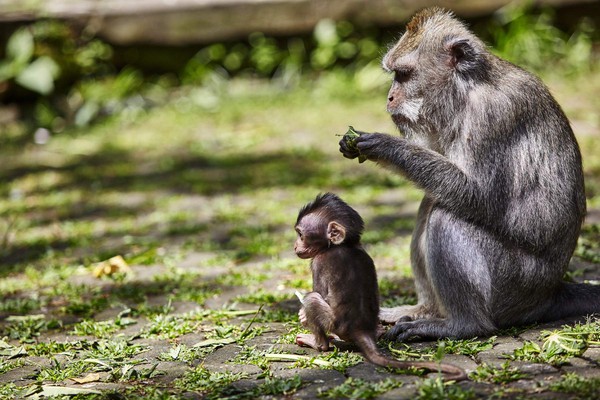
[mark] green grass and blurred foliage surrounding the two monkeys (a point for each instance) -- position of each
(194, 178)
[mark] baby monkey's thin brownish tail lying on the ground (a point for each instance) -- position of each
(371, 352)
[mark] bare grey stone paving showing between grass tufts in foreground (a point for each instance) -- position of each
(220, 358)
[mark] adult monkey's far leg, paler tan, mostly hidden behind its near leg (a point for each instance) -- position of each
(426, 307)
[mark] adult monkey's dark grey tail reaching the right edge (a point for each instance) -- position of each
(574, 299)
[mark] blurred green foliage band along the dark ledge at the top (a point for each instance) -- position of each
(72, 78)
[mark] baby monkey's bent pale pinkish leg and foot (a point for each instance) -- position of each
(319, 319)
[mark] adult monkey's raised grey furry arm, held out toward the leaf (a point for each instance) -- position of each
(443, 181)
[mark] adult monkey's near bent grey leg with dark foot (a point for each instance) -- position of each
(460, 260)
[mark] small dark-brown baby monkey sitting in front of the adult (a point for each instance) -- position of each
(345, 296)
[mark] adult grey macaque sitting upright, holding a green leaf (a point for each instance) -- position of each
(504, 194)
